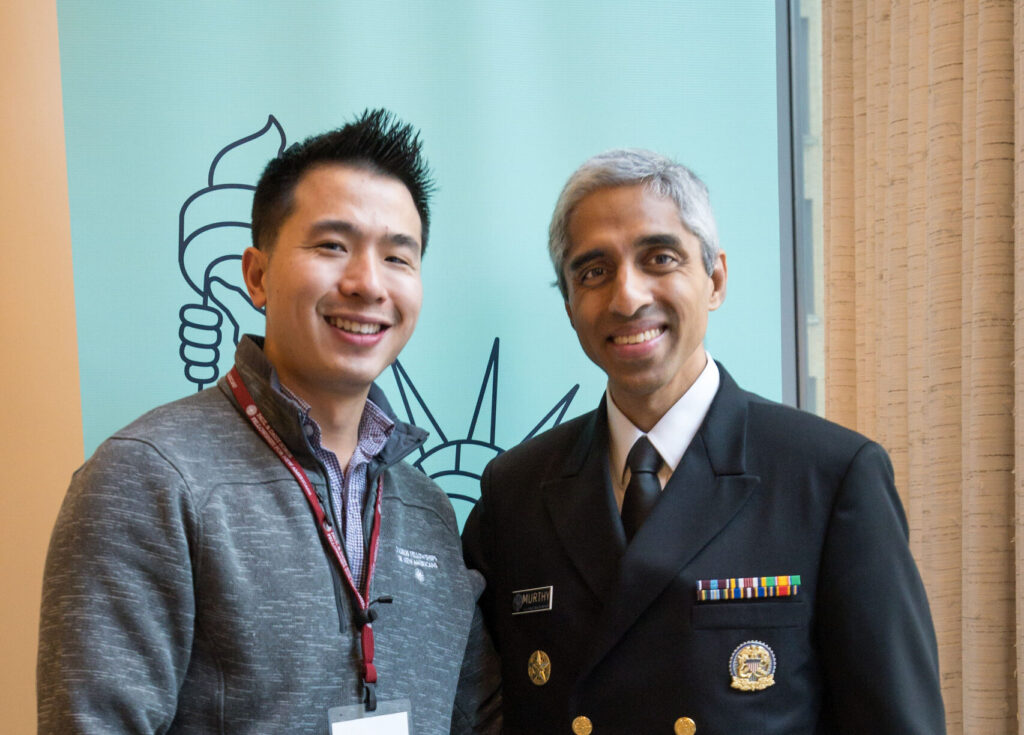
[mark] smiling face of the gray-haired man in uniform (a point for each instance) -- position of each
(639, 297)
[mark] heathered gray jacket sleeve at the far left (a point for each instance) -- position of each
(118, 608)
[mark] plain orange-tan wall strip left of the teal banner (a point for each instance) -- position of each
(41, 418)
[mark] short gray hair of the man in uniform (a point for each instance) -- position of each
(625, 167)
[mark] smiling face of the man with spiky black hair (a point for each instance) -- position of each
(342, 284)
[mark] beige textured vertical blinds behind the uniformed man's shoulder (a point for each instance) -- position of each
(924, 133)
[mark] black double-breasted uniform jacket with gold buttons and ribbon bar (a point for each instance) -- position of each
(762, 491)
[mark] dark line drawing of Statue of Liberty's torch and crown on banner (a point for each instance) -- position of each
(215, 228)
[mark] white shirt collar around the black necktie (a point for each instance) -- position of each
(674, 431)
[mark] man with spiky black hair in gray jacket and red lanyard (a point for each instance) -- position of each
(258, 557)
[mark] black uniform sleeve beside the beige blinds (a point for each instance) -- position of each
(874, 628)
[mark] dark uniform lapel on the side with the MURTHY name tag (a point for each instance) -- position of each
(583, 509)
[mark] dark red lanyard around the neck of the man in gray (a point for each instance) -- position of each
(366, 616)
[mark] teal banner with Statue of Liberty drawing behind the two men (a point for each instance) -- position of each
(173, 109)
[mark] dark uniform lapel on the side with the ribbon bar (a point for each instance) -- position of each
(706, 492)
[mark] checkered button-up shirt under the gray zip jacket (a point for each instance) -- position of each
(349, 491)
